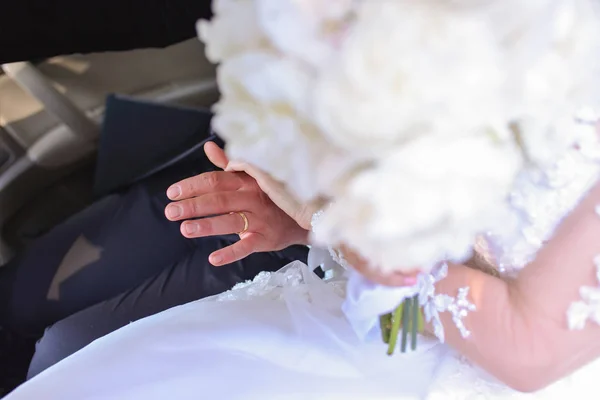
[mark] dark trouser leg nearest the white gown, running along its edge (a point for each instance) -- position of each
(190, 279)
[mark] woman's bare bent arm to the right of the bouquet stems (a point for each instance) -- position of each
(521, 330)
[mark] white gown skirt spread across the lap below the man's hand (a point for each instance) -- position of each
(281, 337)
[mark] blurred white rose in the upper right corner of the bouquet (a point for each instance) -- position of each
(551, 57)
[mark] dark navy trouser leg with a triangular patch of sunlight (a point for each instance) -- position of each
(108, 248)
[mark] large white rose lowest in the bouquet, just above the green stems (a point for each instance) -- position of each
(424, 203)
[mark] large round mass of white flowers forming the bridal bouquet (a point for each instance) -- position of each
(412, 117)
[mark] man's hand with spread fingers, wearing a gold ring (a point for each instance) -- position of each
(210, 204)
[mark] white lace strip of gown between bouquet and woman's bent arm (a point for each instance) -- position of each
(542, 198)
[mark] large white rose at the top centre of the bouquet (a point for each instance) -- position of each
(407, 69)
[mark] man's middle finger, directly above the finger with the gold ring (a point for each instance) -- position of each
(213, 204)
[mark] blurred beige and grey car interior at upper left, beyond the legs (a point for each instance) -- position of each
(50, 117)
